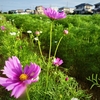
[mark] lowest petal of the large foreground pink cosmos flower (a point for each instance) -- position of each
(18, 90)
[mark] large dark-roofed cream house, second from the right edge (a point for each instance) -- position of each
(83, 8)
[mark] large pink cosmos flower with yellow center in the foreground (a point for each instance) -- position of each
(18, 79)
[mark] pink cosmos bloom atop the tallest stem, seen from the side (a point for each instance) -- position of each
(52, 14)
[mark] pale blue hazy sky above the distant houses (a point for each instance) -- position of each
(6, 5)
